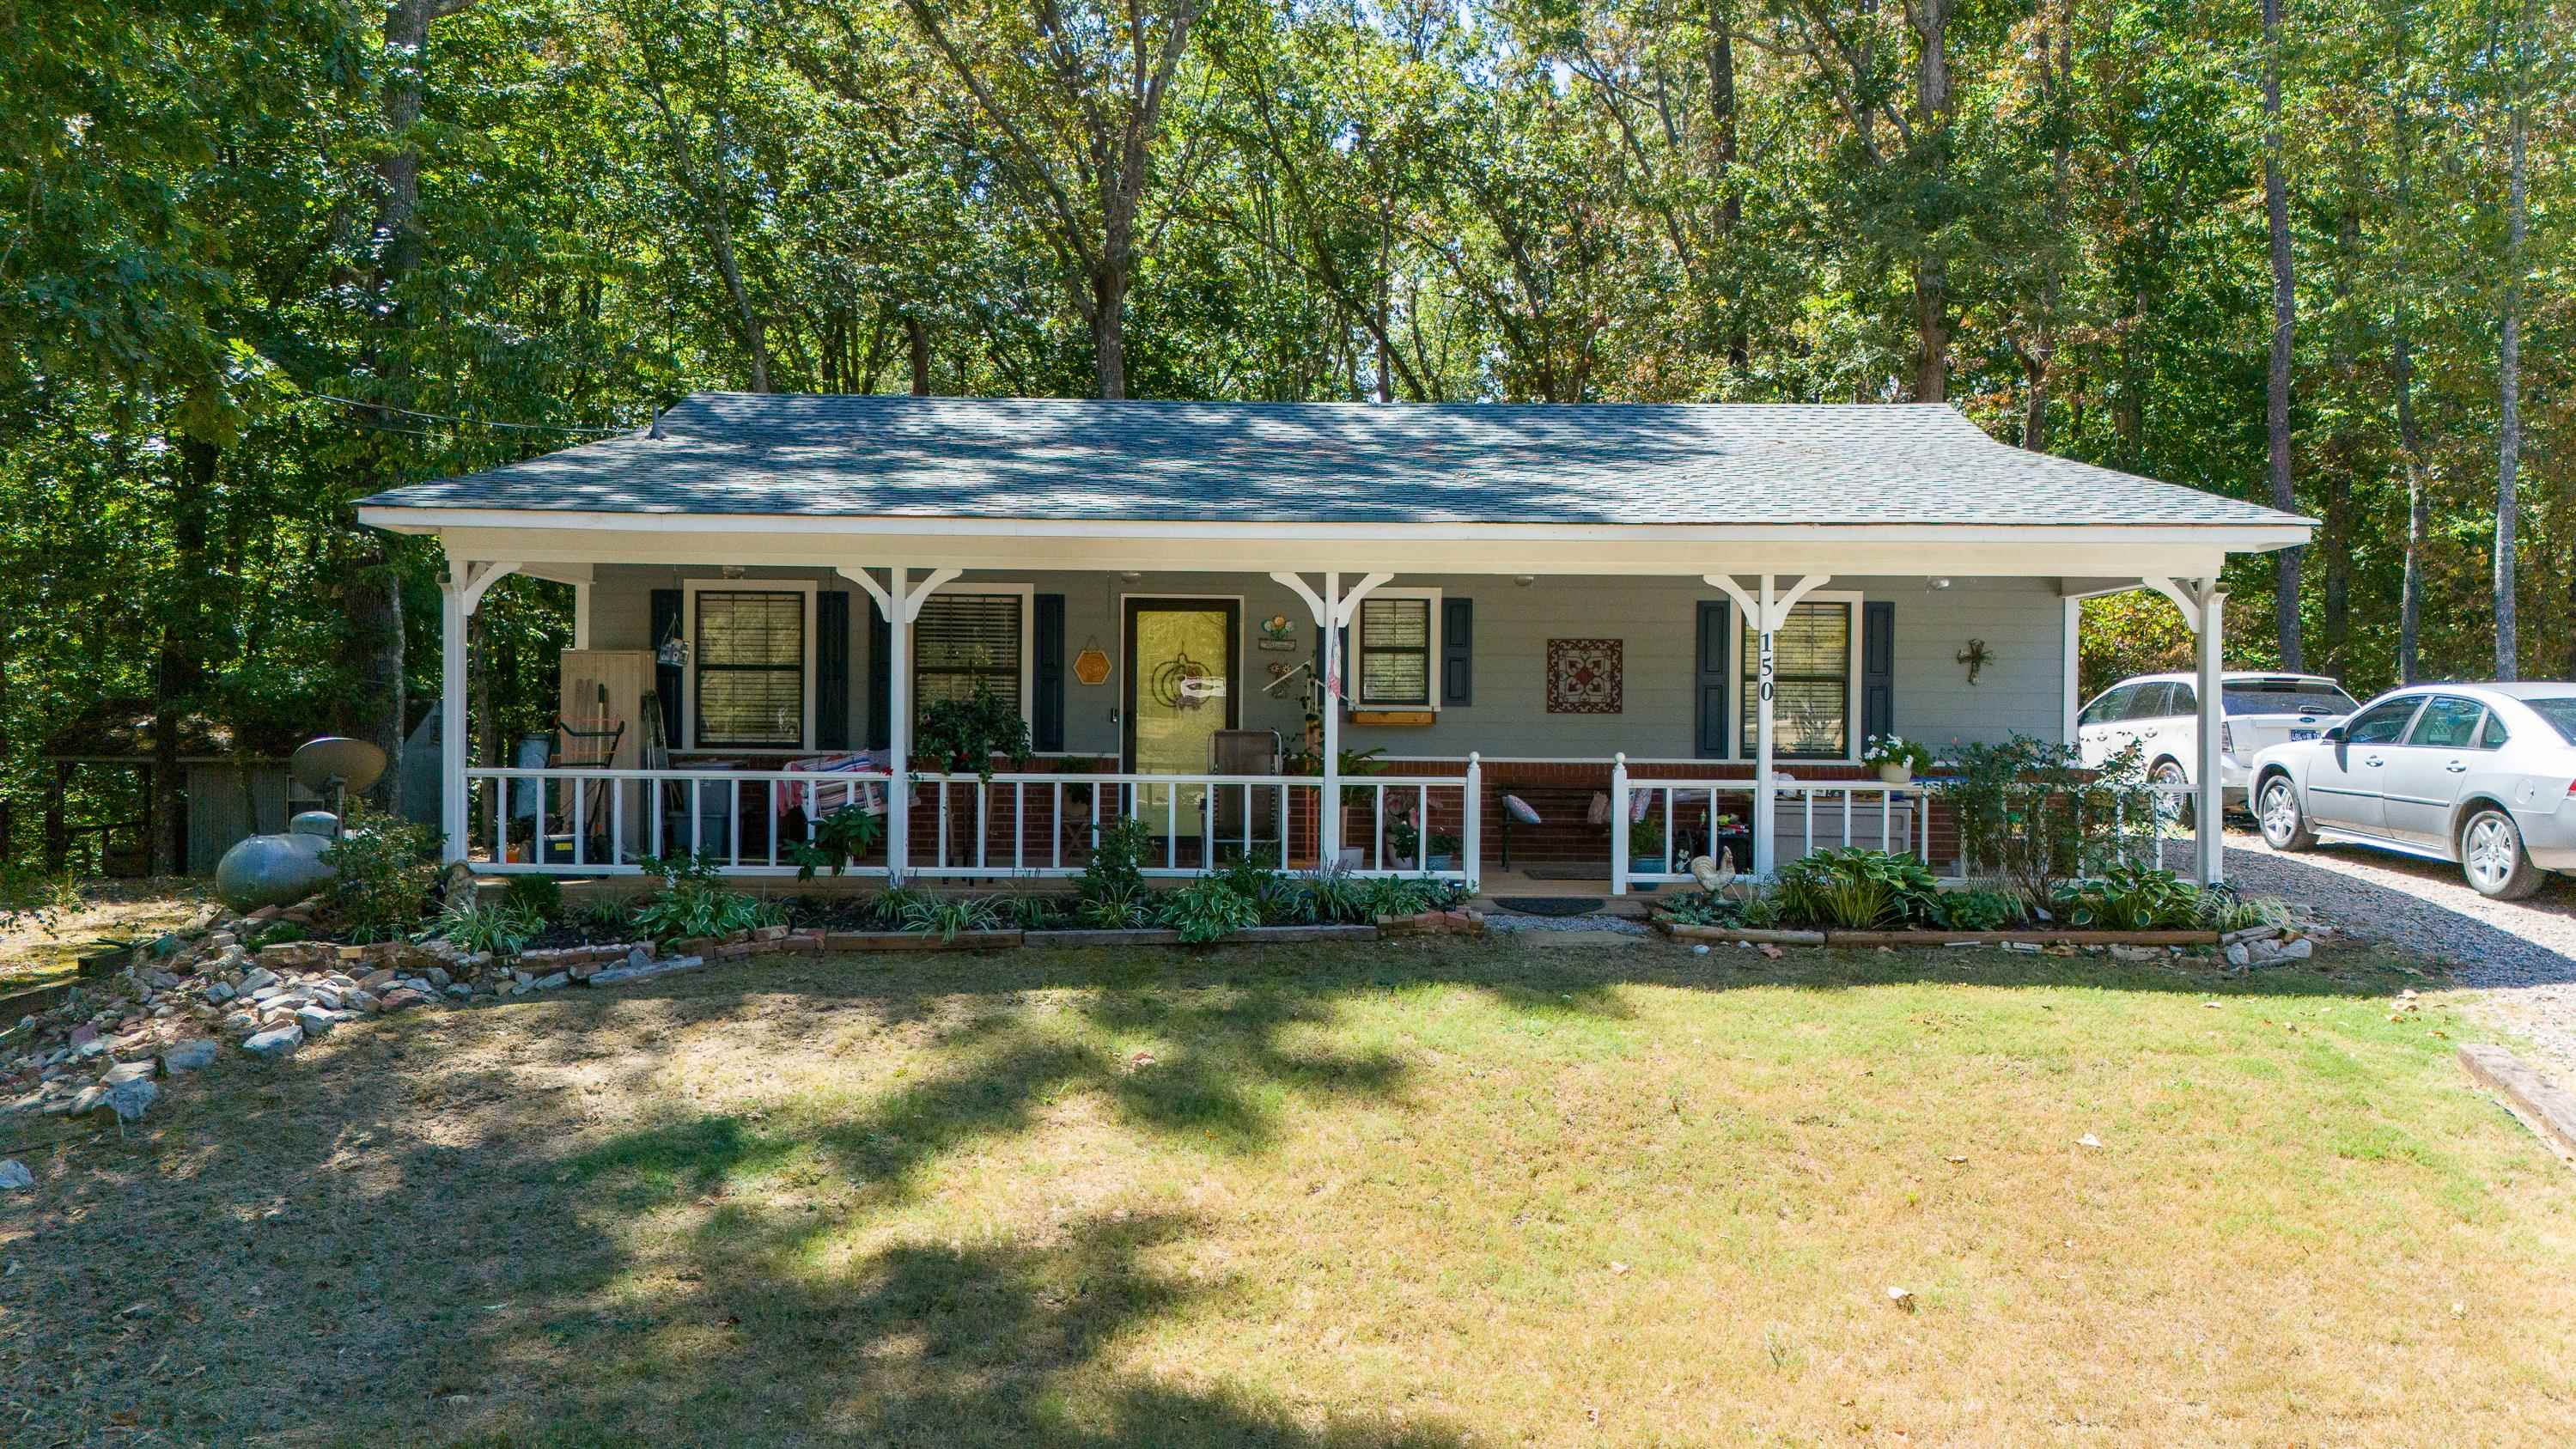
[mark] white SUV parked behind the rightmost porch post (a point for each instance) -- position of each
(2160, 714)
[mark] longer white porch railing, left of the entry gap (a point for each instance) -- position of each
(1009, 825)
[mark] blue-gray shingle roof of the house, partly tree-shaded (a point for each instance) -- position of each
(1057, 459)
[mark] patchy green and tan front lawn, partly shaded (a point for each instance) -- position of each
(1426, 1193)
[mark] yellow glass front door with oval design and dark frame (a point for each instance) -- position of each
(1181, 694)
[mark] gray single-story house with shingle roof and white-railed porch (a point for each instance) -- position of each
(1480, 642)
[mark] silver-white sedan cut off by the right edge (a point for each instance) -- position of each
(2482, 776)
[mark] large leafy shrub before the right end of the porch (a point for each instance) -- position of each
(2031, 815)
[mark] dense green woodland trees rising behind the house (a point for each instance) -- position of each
(264, 259)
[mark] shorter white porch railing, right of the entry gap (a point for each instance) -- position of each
(1823, 815)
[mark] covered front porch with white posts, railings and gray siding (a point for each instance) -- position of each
(1526, 735)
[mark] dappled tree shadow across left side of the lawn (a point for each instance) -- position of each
(403, 1237)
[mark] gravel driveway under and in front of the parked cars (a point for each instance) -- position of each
(2518, 954)
